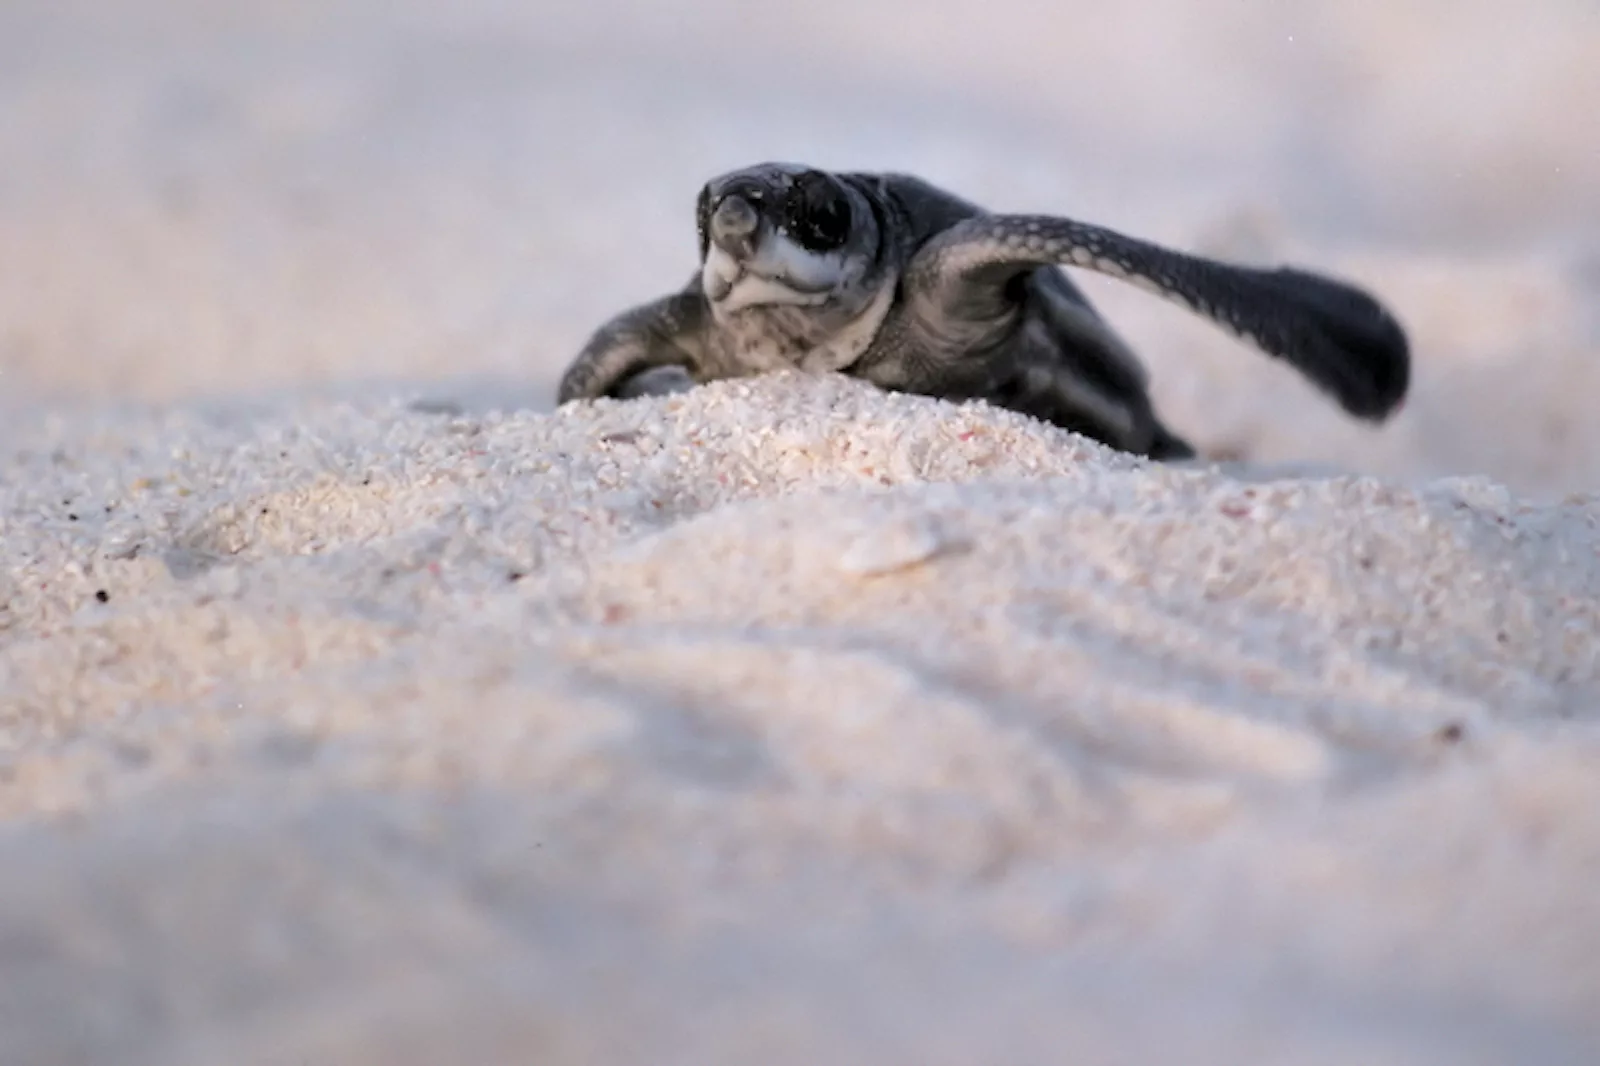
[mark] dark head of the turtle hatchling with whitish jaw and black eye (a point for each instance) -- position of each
(782, 234)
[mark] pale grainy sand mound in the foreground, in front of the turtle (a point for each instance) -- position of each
(782, 721)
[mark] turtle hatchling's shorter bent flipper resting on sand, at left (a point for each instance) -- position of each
(666, 332)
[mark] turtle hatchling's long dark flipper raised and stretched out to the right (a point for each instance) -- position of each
(1337, 335)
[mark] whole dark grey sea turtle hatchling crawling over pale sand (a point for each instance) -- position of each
(890, 279)
